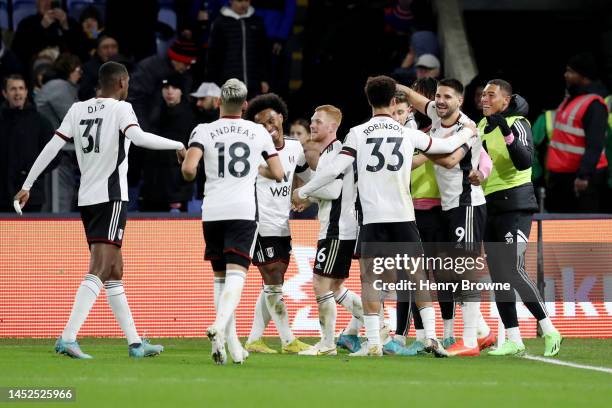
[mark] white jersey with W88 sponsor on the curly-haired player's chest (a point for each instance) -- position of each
(274, 198)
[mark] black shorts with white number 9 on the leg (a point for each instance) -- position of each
(466, 225)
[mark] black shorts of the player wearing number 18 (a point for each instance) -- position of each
(229, 241)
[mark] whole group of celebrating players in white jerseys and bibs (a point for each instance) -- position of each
(372, 189)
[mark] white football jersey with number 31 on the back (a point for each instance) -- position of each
(97, 128)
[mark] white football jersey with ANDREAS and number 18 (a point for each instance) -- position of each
(233, 149)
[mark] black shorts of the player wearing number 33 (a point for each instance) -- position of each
(372, 238)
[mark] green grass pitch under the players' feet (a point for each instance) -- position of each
(185, 376)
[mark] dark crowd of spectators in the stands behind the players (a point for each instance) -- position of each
(311, 52)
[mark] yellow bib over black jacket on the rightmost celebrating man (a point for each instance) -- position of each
(503, 175)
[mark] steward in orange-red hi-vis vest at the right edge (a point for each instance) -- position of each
(576, 159)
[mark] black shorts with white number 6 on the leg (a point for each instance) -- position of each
(334, 257)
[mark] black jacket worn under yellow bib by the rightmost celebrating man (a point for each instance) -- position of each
(521, 198)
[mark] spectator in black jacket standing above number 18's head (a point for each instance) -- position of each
(238, 47)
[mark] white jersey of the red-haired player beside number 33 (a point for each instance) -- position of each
(337, 218)
